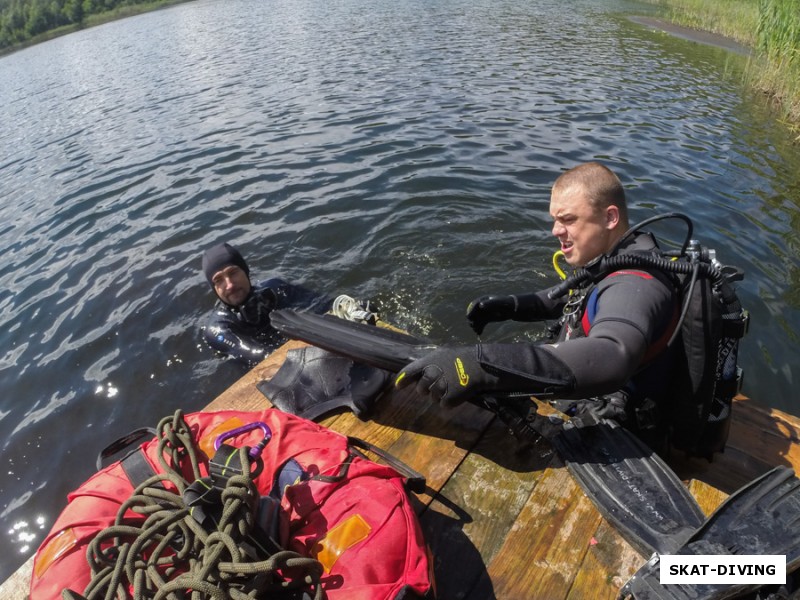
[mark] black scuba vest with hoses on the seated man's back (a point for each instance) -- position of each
(706, 375)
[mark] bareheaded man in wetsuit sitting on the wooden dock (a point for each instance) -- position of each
(611, 347)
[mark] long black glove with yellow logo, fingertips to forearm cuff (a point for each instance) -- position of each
(454, 375)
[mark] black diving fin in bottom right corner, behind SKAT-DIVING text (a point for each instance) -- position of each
(761, 518)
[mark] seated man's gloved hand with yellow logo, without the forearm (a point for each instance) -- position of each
(449, 375)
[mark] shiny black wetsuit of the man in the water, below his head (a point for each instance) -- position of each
(244, 333)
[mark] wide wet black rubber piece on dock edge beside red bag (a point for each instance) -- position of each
(313, 382)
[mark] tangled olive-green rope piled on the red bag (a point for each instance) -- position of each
(170, 556)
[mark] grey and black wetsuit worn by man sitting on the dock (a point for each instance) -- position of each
(612, 337)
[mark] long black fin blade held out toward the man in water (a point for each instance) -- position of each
(367, 344)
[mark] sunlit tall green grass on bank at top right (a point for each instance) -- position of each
(770, 27)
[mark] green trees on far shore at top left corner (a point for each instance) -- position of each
(23, 20)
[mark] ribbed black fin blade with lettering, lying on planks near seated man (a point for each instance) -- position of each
(631, 486)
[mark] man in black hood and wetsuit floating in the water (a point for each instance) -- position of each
(239, 325)
